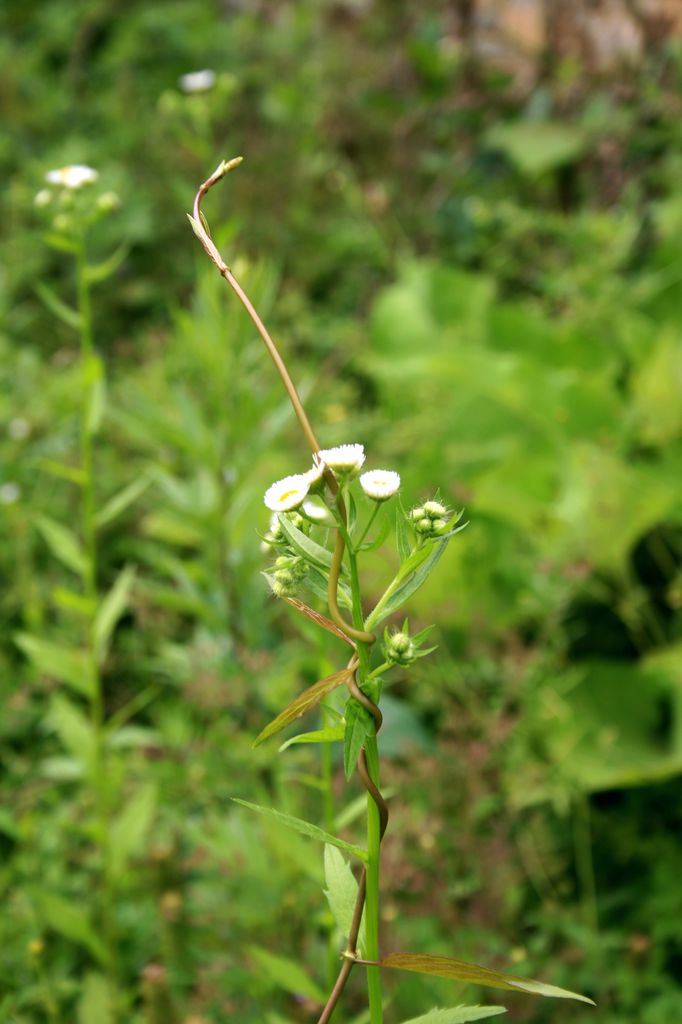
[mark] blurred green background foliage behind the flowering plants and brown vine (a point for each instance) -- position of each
(485, 286)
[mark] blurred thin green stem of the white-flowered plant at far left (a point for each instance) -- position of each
(90, 530)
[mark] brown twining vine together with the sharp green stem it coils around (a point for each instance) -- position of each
(368, 763)
